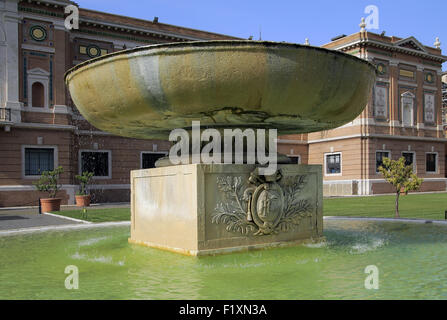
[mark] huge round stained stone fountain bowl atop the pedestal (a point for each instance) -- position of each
(148, 91)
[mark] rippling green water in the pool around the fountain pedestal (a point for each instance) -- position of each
(412, 262)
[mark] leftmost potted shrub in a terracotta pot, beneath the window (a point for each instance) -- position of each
(49, 182)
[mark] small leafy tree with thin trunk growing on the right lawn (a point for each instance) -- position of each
(400, 176)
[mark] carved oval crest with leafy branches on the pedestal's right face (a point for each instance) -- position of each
(263, 205)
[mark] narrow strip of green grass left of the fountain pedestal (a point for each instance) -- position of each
(98, 215)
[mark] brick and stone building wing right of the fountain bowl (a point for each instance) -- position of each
(403, 118)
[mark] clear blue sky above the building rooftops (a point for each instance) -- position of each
(290, 20)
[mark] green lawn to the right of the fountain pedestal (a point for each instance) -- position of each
(419, 206)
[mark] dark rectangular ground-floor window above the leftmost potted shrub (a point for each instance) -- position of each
(38, 161)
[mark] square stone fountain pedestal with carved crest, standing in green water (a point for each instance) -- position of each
(205, 209)
